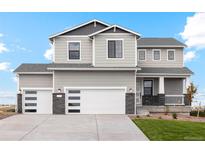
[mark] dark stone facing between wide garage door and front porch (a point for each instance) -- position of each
(130, 103)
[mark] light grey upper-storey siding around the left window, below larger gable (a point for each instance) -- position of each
(61, 51)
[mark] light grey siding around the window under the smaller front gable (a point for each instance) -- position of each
(101, 51)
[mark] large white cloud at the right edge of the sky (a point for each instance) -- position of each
(194, 31)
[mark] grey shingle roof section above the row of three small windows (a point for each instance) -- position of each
(159, 42)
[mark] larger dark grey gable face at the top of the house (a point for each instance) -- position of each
(87, 29)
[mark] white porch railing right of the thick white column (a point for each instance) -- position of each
(174, 99)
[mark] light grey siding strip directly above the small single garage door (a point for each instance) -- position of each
(38, 80)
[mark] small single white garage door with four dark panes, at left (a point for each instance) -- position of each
(37, 101)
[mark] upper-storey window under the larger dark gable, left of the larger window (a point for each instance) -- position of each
(74, 50)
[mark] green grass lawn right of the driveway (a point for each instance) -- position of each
(171, 130)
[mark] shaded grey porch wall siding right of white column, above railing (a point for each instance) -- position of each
(173, 86)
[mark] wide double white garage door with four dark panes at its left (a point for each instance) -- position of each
(96, 101)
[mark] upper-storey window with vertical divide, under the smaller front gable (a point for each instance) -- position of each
(115, 49)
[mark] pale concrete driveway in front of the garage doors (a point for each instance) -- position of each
(70, 127)
